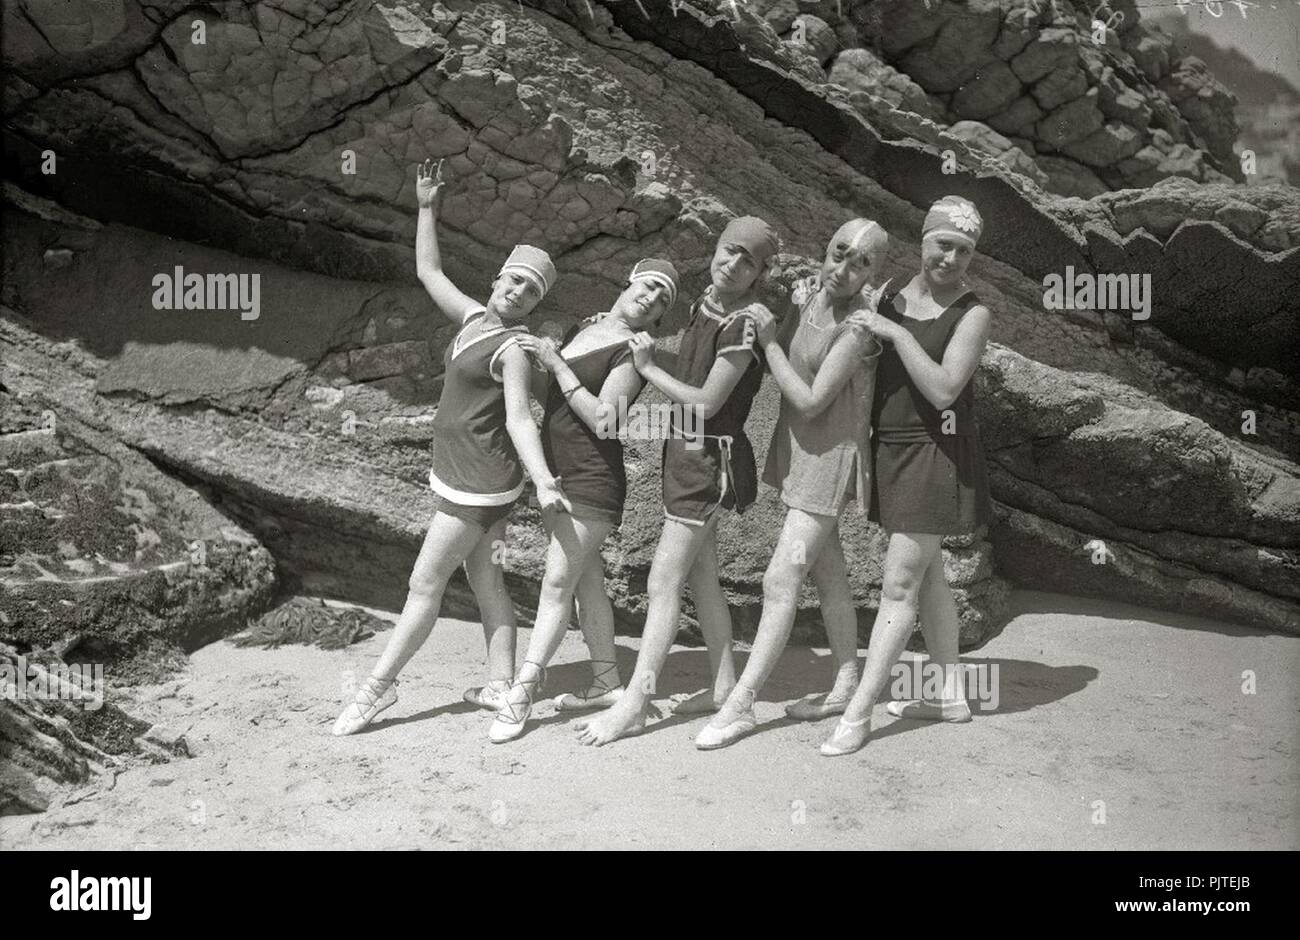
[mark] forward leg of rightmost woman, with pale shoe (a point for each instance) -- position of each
(907, 561)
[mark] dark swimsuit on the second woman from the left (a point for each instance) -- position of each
(590, 467)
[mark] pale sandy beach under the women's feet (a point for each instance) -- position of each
(1117, 729)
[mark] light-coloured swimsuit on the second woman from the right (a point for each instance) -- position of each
(822, 462)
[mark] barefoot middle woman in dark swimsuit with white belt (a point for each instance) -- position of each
(720, 369)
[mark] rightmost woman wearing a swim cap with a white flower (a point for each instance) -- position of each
(930, 478)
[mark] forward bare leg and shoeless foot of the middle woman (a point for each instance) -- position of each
(679, 547)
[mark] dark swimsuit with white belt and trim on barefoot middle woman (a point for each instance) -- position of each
(717, 470)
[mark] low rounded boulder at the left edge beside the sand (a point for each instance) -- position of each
(105, 555)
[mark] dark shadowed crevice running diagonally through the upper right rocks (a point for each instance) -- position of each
(915, 172)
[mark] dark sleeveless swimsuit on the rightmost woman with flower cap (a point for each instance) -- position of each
(930, 465)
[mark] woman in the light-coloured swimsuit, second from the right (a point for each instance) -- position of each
(820, 460)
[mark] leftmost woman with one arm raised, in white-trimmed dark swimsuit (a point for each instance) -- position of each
(484, 439)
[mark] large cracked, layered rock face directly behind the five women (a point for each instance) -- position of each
(284, 145)
